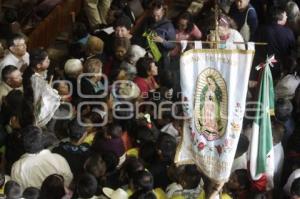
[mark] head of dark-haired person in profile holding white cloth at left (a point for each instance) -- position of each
(39, 60)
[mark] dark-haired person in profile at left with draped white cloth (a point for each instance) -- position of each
(37, 91)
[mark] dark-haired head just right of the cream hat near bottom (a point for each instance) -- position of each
(142, 180)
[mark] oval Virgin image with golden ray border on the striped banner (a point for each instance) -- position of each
(211, 104)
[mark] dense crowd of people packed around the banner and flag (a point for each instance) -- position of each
(106, 123)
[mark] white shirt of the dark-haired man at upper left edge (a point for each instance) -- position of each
(11, 59)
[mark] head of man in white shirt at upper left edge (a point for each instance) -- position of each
(17, 45)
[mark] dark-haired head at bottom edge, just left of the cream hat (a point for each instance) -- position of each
(87, 186)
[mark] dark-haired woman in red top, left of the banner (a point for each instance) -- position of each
(146, 71)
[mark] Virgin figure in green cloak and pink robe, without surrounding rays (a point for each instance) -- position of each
(210, 108)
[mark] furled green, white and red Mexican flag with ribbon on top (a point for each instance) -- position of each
(261, 147)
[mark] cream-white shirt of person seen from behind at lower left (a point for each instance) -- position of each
(32, 169)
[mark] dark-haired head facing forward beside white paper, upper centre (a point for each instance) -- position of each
(122, 27)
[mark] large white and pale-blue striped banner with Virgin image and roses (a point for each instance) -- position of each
(214, 85)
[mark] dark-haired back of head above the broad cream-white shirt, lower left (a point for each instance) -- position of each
(32, 139)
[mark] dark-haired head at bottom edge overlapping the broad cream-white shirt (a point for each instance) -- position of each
(53, 187)
